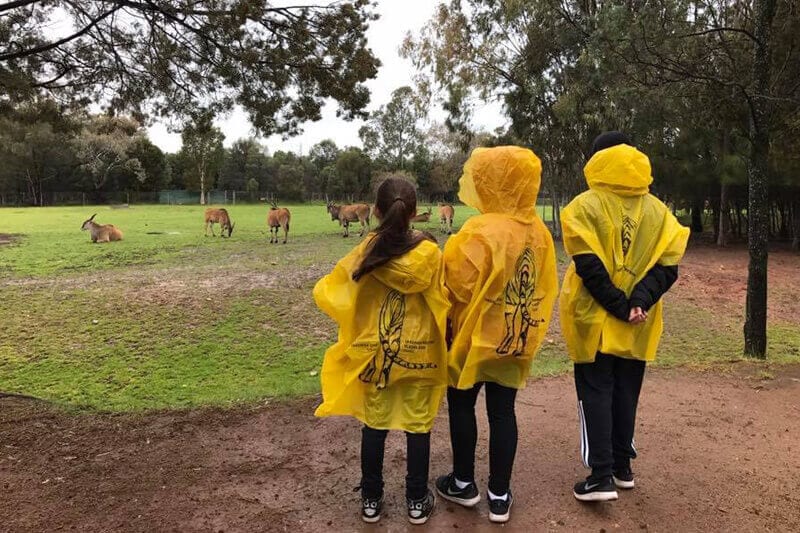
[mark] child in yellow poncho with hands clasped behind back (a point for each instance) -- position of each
(625, 247)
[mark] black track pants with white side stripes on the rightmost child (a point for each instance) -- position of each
(608, 393)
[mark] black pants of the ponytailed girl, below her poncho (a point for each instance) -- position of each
(373, 443)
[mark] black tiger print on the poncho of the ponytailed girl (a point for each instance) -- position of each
(390, 329)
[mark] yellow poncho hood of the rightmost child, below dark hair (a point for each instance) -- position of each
(621, 169)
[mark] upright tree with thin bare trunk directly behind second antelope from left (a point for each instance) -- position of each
(203, 150)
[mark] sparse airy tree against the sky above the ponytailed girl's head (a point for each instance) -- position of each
(393, 135)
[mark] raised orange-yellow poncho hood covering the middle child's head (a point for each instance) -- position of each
(503, 179)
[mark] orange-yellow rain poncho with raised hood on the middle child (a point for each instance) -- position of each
(501, 270)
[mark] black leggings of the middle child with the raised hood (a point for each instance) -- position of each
(502, 433)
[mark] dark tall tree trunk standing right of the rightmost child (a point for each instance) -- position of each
(755, 326)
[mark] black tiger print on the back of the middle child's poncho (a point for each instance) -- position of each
(520, 305)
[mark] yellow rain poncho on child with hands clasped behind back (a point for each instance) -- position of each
(630, 231)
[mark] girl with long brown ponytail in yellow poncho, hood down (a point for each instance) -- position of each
(389, 366)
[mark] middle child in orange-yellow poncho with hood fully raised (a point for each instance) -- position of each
(500, 269)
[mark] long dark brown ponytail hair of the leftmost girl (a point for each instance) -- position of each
(397, 202)
